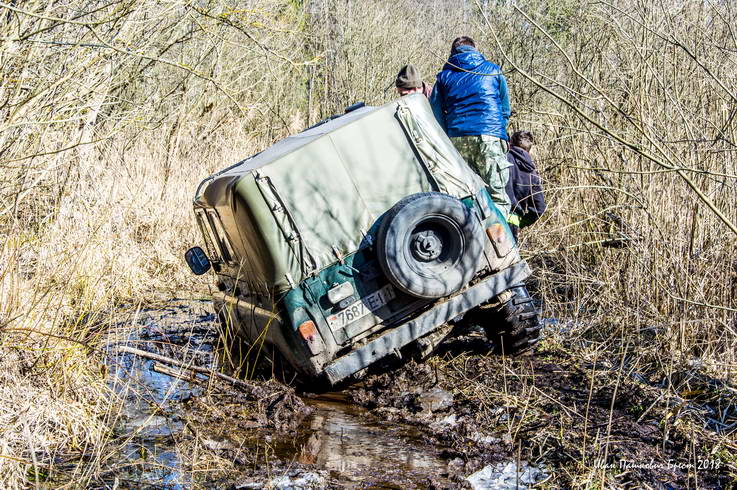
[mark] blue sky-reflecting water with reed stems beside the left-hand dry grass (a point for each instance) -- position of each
(149, 421)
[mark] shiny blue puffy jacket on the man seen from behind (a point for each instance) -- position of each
(470, 96)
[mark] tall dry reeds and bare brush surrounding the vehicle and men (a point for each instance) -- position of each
(109, 116)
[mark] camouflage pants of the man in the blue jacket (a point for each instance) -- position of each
(487, 156)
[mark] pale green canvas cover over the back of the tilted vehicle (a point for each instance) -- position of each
(327, 186)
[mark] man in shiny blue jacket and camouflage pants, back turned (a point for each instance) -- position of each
(470, 100)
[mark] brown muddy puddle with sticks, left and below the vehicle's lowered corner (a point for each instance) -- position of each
(178, 429)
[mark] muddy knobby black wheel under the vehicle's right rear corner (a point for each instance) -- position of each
(514, 325)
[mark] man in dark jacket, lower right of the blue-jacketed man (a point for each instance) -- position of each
(524, 187)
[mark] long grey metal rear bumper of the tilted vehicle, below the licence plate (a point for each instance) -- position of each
(440, 314)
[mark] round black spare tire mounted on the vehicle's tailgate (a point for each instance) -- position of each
(429, 245)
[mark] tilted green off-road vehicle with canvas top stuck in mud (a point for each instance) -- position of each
(365, 233)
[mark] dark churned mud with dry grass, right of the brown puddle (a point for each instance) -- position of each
(586, 423)
